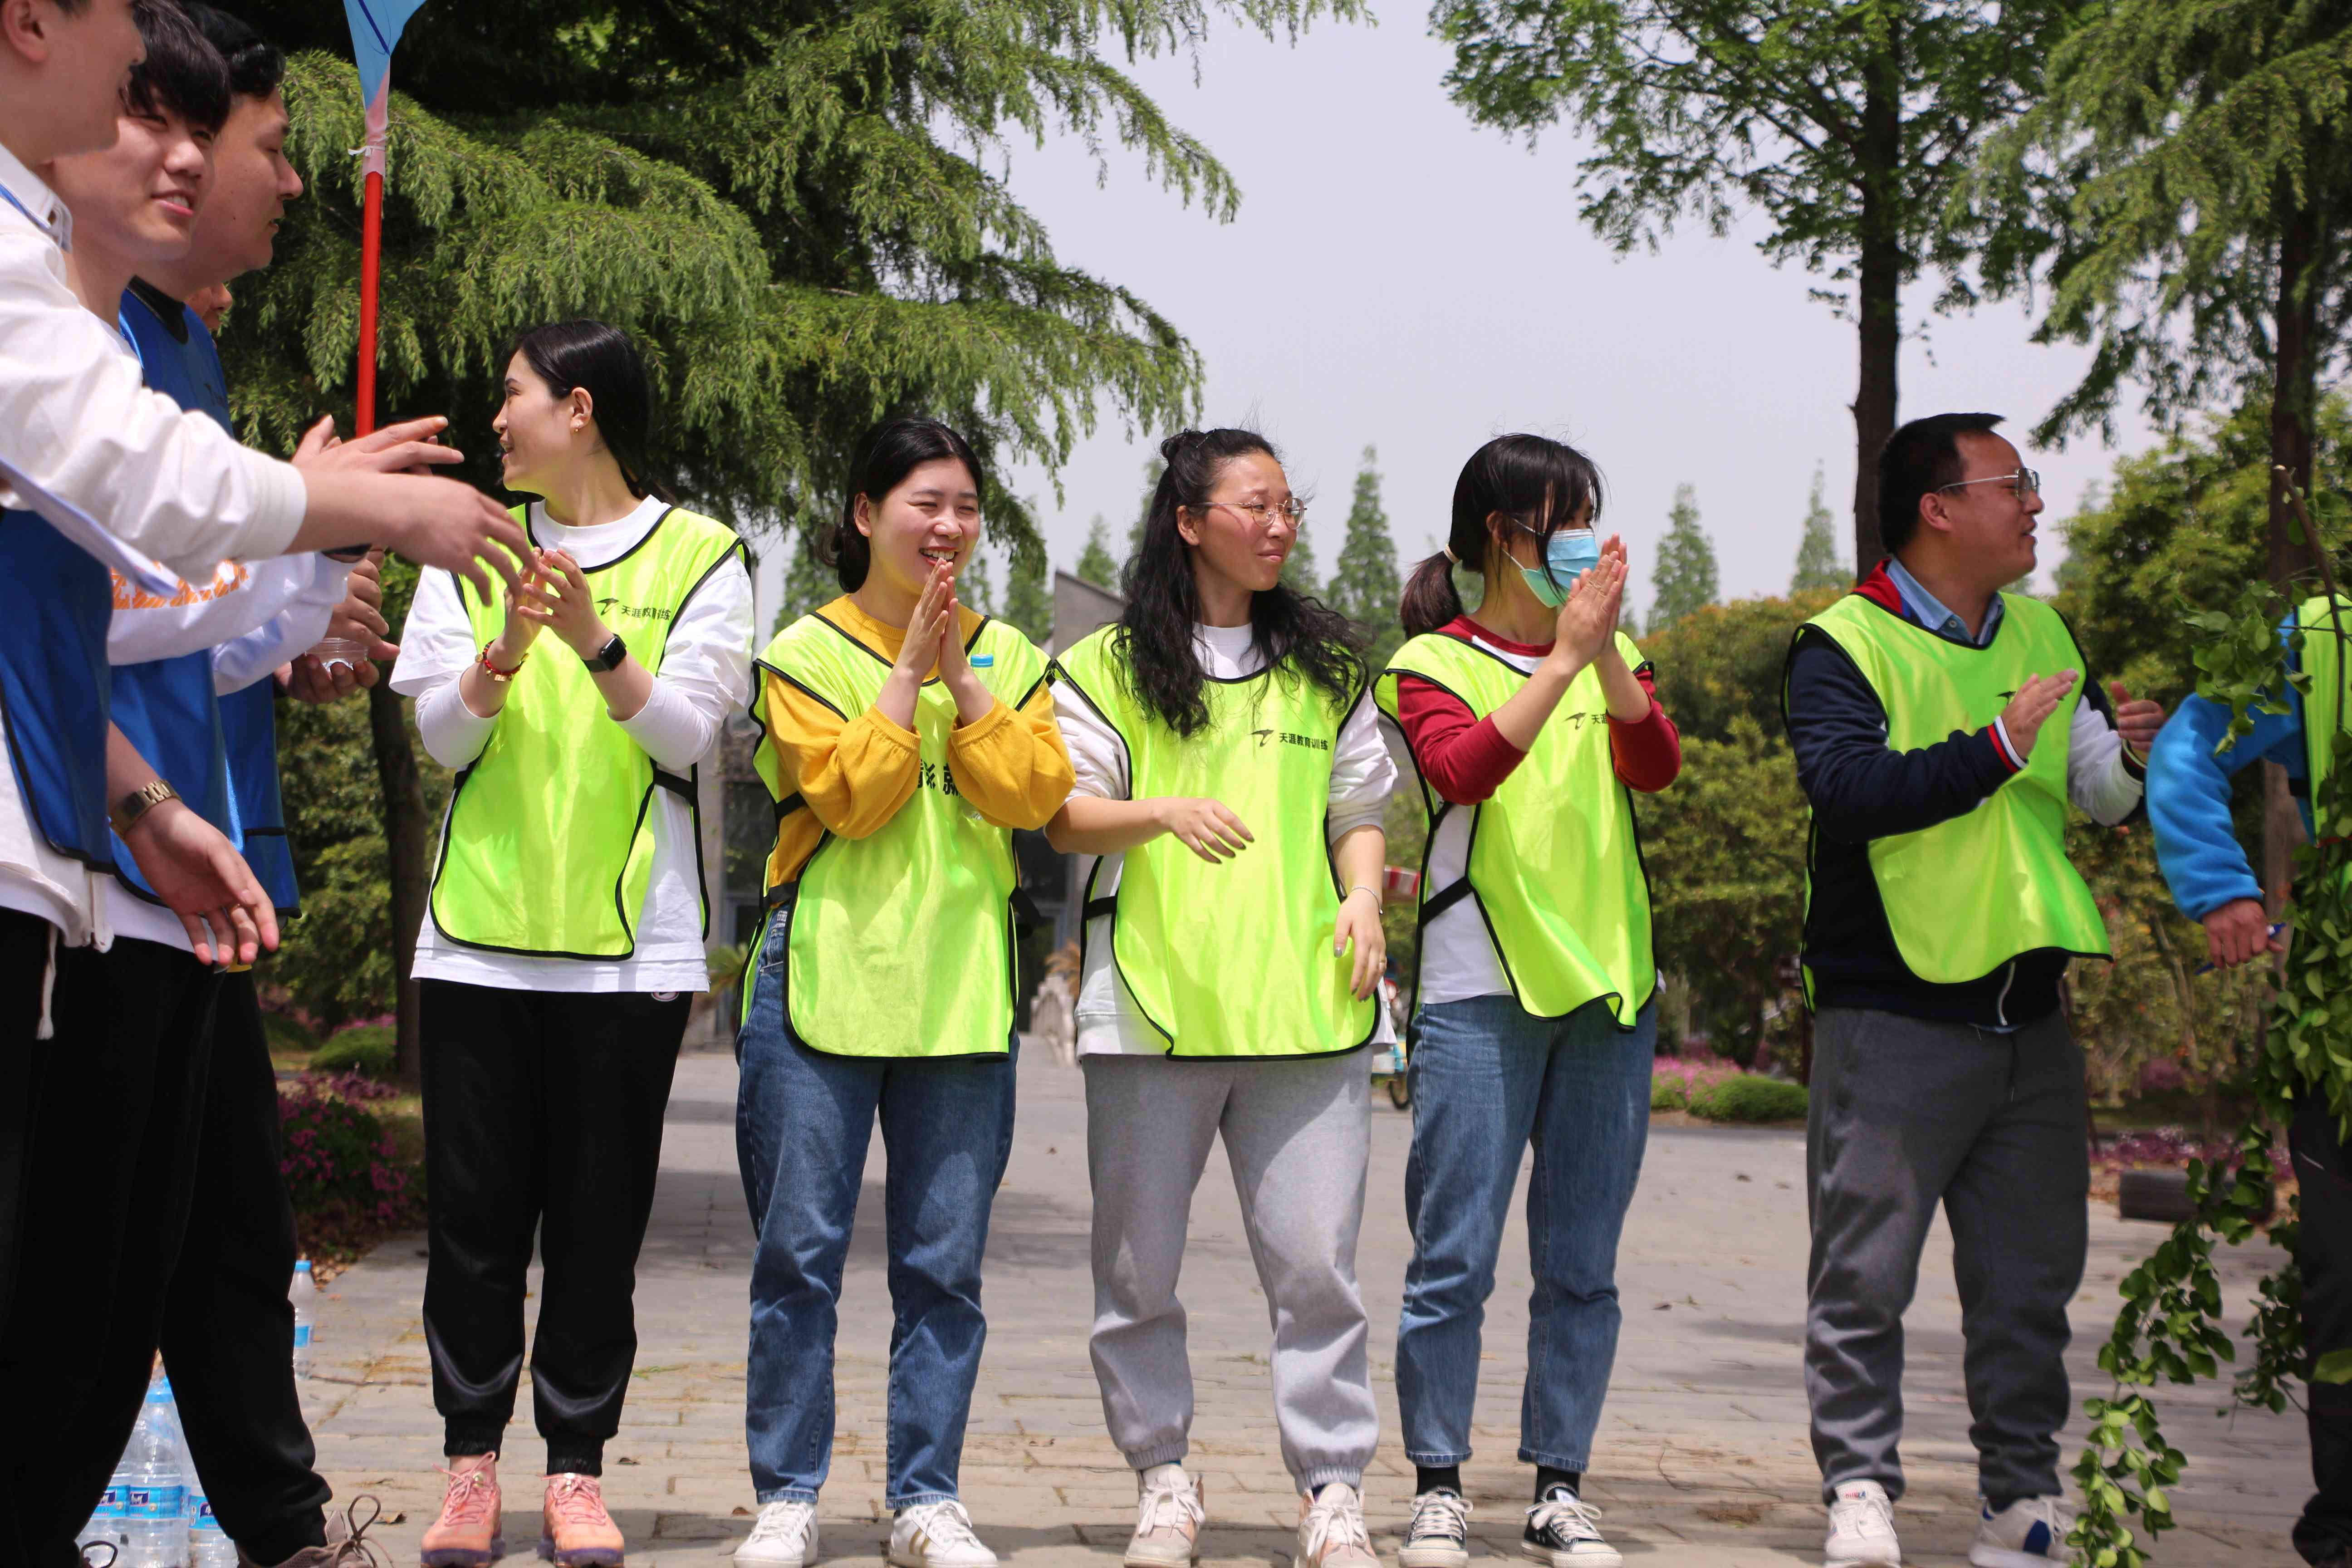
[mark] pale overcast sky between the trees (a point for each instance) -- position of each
(1410, 281)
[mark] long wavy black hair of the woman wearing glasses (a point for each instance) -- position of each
(1163, 601)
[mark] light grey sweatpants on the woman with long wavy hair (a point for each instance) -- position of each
(1297, 1137)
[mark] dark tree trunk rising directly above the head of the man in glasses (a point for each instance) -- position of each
(1878, 295)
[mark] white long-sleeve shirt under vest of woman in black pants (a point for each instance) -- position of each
(704, 678)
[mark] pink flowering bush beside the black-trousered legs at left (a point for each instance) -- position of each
(345, 1170)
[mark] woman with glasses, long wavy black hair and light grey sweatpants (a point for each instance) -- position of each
(1231, 782)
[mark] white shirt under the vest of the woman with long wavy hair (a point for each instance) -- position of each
(1363, 775)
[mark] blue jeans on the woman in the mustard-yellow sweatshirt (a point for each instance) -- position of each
(803, 1120)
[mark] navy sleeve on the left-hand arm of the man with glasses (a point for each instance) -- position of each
(1857, 784)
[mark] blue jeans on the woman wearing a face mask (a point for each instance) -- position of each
(1490, 1080)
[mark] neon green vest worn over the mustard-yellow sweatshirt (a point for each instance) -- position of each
(902, 944)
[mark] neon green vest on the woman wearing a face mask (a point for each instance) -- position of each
(1556, 862)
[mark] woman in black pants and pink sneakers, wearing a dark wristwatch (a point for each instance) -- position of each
(566, 925)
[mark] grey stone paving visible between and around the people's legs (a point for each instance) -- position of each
(1702, 1456)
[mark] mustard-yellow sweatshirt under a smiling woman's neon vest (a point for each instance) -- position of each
(855, 775)
